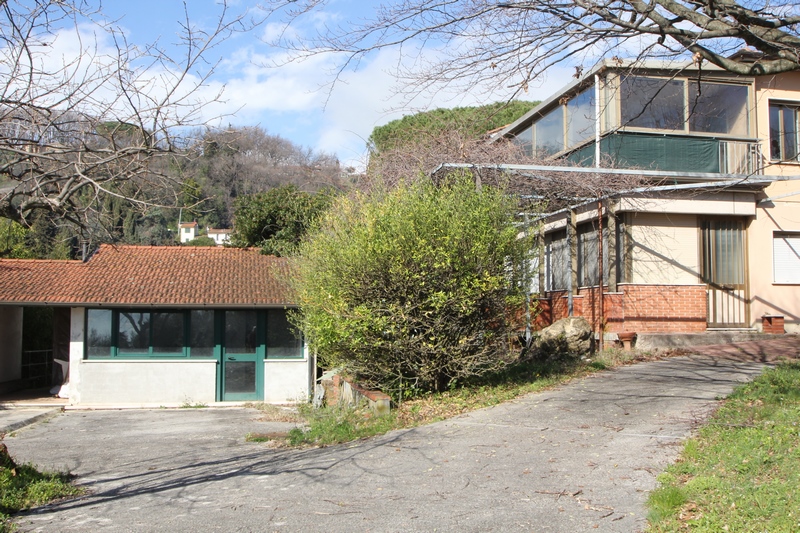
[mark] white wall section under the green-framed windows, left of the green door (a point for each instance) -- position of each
(148, 382)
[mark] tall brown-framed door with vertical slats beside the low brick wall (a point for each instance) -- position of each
(724, 272)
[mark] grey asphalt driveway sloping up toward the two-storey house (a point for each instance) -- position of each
(578, 458)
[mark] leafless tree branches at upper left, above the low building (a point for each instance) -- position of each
(76, 128)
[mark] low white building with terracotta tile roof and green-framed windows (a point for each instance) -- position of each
(163, 325)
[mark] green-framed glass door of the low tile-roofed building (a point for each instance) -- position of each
(242, 365)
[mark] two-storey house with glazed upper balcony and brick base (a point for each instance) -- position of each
(712, 241)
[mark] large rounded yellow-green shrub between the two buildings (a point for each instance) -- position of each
(413, 288)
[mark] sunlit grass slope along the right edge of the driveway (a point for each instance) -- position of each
(740, 473)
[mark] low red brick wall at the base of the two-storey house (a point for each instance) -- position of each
(640, 308)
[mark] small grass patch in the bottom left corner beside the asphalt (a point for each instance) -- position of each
(23, 487)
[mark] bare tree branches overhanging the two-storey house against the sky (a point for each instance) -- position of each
(511, 43)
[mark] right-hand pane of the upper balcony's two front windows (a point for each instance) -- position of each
(718, 108)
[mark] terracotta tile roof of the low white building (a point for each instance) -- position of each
(150, 276)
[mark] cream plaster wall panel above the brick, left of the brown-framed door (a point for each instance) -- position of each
(664, 249)
